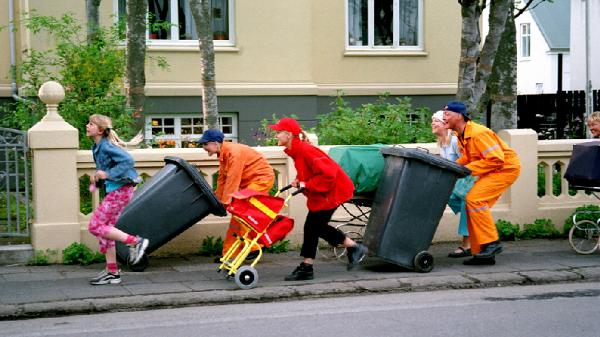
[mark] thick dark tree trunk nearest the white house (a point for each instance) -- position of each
(502, 86)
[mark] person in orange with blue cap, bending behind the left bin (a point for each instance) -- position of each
(240, 167)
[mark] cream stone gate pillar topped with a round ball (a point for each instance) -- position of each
(54, 144)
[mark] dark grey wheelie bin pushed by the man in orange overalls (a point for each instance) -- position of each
(408, 205)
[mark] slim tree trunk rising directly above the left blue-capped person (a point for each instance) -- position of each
(202, 17)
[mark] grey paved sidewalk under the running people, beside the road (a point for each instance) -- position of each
(36, 291)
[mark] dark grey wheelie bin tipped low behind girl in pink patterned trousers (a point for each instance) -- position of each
(173, 200)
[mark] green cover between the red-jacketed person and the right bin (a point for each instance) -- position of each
(362, 163)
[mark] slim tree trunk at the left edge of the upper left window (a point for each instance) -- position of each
(136, 56)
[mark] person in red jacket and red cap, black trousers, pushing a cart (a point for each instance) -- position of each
(326, 186)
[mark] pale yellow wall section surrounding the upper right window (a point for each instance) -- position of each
(436, 65)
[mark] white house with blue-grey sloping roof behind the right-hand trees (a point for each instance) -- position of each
(543, 48)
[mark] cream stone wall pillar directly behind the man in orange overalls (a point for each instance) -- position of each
(522, 195)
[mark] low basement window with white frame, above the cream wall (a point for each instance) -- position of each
(184, 130)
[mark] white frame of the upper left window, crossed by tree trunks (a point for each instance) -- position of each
(174, 41)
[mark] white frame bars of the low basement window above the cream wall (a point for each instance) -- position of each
(178, 137)
